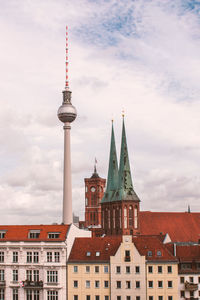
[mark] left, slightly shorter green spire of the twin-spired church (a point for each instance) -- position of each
(112, 179)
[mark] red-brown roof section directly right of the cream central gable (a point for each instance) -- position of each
(146, 243)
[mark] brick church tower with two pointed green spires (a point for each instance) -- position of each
(120, 205)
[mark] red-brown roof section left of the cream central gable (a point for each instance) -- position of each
(107, 246)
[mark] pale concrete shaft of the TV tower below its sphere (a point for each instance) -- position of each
(67, 182)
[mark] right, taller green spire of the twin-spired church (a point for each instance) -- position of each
(125, 189)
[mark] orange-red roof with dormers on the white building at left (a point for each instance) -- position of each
(21, 232)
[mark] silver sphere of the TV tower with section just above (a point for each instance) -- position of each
(67, 112)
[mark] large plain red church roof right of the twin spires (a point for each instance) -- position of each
(181, 227)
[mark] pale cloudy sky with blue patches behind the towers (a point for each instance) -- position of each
(142, 56)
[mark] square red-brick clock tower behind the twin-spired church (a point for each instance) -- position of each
(94, 191)
